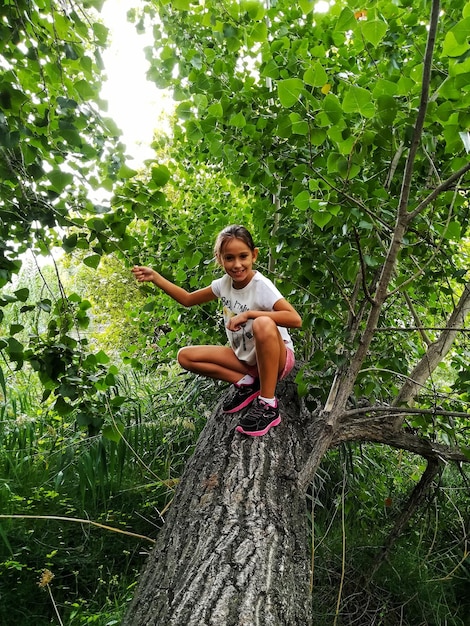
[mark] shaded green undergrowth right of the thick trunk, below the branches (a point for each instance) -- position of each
(425, 579)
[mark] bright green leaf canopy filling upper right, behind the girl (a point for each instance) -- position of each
(317, 111)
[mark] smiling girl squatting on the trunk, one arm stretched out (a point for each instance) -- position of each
(256, 318)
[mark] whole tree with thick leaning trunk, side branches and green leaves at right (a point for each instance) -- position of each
(351, 122)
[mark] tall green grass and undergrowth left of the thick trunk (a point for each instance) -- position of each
(51, 469)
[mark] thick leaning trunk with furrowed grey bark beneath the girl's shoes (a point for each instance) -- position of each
(233, 550)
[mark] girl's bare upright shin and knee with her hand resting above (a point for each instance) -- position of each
(270, 354)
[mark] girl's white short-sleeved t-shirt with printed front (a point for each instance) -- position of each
(259, 295)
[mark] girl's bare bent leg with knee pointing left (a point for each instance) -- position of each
(214, 361)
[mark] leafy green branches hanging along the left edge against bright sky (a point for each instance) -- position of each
(56, 151)
